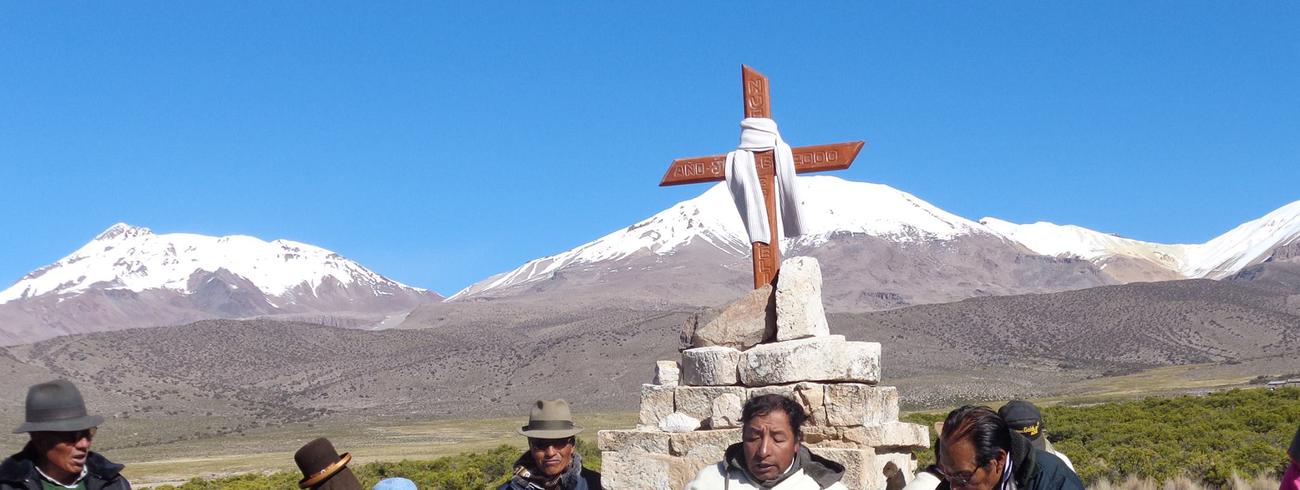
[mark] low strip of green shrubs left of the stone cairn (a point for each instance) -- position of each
(475, 471)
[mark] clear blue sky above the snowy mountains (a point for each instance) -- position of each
(441, 144)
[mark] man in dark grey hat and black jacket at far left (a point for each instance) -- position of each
(59, 454)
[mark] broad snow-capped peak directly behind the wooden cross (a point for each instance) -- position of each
(879, 246)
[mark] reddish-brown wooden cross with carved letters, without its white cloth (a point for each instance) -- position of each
(759, 103)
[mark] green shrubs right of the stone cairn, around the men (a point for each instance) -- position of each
(1207, 439)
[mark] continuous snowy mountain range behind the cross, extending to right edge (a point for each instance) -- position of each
(891, 248)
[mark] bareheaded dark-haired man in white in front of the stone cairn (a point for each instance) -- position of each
(772, 453)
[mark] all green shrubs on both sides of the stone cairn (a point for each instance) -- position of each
(1150, 444)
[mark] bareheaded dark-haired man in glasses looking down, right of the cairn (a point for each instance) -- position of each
(977, 450)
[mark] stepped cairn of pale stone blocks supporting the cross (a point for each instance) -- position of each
(764, 344)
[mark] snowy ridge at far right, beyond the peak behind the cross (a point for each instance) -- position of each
(1251, 244)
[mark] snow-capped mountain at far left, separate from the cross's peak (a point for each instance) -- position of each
(129, 276)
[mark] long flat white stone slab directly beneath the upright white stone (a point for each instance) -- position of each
(813, 359)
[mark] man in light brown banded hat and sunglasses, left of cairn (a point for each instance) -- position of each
(551, 462)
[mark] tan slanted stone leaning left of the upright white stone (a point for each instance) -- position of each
(743, 324)
